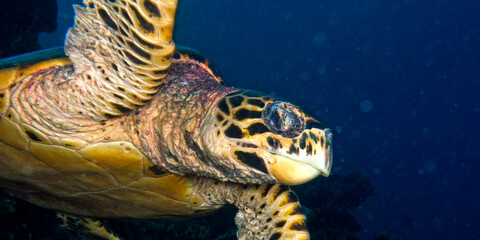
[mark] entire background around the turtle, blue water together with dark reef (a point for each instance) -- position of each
(397, 82)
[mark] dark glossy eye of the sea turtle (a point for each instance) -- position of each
(284, 119)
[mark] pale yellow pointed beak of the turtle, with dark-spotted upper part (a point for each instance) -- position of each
(303, 158)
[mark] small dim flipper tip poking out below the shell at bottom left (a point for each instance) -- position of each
(86, 227)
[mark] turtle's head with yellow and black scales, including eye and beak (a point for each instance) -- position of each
(269, 136)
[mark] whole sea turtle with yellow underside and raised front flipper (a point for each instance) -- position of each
(127, 127)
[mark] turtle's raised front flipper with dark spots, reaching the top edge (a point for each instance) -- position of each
(121, 52)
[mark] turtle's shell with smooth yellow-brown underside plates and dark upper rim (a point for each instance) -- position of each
(105, 177)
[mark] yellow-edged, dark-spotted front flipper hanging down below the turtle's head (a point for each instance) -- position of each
(269, 211)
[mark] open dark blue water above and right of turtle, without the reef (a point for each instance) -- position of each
(397, 81)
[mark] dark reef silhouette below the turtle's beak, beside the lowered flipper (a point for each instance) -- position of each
(328, 202)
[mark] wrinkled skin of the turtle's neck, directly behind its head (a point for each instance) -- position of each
(176, 113)
